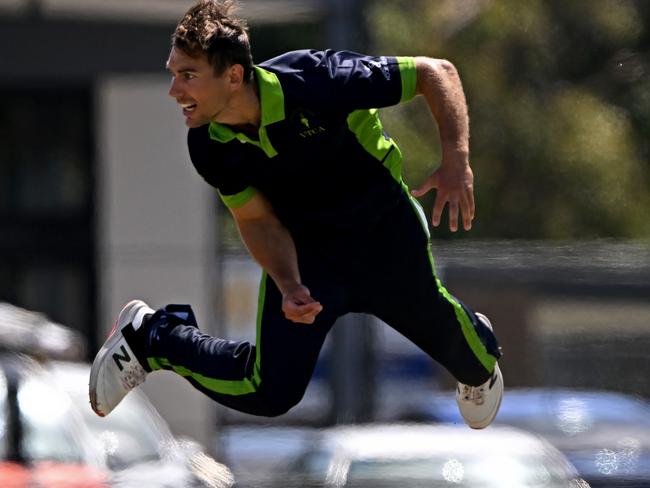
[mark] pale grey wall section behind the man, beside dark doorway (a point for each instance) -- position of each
(156, 226)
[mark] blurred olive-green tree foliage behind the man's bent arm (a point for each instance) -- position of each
(559, 99)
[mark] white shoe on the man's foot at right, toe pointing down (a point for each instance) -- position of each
(479, 404)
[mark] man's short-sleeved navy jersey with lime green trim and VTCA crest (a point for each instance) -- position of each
(322, 157)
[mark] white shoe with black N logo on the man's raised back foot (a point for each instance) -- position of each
(116, 370)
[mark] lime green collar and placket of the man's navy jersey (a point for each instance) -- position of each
(271, 106)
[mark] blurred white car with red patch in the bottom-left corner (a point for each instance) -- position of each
(43, 443)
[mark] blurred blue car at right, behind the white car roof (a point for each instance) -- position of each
(605, 435)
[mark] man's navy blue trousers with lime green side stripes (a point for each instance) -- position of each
(385, 270)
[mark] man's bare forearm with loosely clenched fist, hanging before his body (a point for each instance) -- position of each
(271, 245)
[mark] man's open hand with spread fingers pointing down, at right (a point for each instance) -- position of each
(454, 184)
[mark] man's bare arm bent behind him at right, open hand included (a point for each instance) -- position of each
(439, 83)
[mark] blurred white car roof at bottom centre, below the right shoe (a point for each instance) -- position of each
(412, 455)
